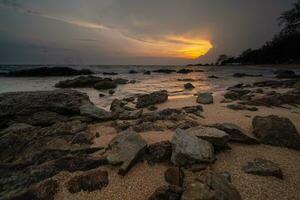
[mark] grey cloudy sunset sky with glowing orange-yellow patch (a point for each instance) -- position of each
(139, 32)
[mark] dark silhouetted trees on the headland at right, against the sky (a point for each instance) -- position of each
(283, 48)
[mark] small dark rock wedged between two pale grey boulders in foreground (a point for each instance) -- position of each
(159, 152)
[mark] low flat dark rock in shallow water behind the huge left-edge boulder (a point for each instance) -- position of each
(79, 82)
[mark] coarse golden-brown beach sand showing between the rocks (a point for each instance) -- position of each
(143, 179)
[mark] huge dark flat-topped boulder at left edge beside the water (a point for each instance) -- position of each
(40, 108)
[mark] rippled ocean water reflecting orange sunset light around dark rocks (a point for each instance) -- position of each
(144, 83)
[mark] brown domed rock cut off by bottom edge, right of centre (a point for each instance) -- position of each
(210, 185)
